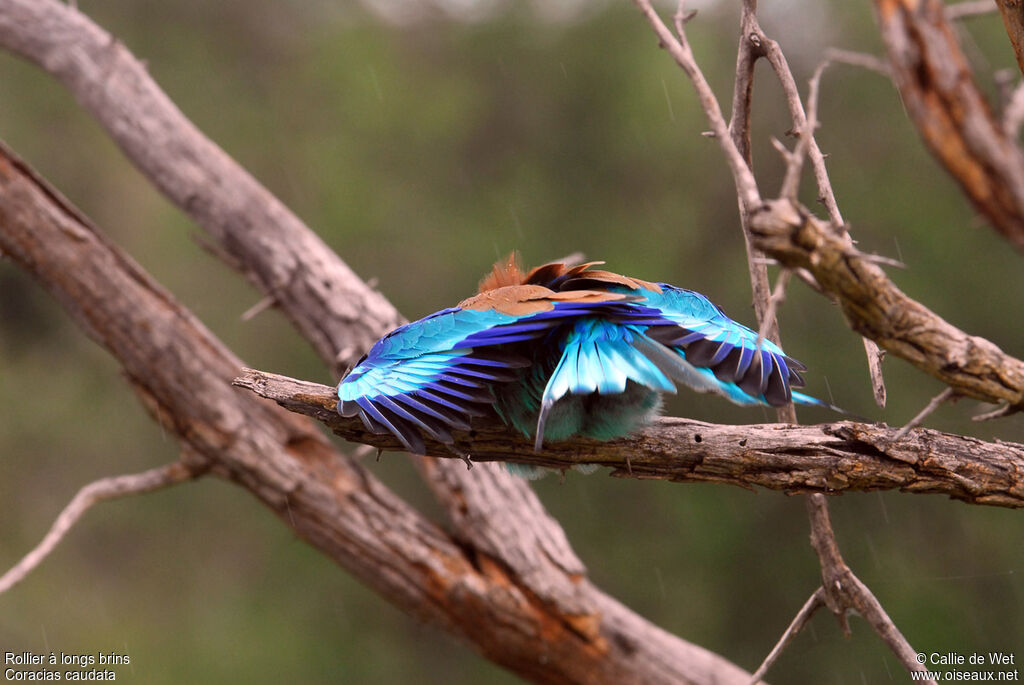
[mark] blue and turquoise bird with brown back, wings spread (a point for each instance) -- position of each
(561, 352)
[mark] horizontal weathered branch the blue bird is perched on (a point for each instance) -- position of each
(827, 458)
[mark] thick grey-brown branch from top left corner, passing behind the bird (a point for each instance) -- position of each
(333, 309)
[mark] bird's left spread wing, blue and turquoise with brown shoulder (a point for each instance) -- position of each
(435, 375)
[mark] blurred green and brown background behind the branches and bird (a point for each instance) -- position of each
(423, 143)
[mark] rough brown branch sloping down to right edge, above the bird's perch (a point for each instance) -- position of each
(876, 309)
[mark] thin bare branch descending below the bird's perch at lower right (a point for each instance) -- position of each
(845, 593)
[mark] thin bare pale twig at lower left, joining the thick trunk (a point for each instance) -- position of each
(99, 491)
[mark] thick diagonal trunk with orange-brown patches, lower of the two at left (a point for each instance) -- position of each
(183, 374)
